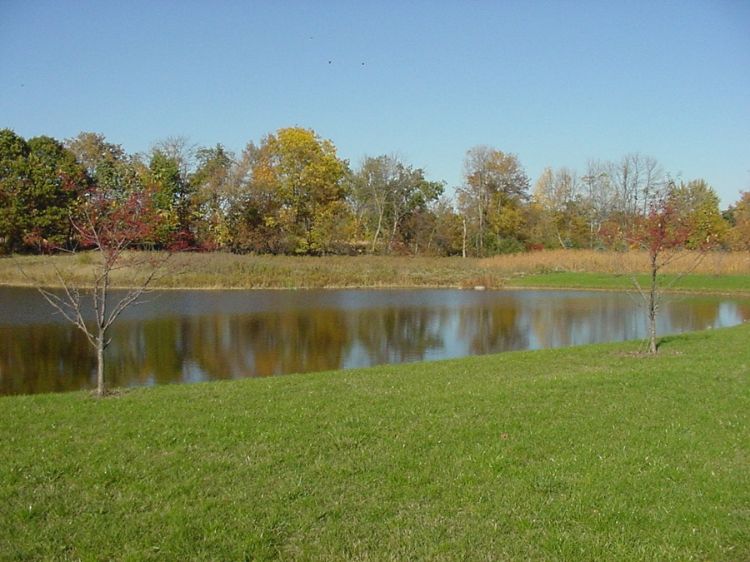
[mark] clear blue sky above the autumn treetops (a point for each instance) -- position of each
(556, 83)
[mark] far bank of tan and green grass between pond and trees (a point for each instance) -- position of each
(560, 268)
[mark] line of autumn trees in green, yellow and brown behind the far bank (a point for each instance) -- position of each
(293, 194)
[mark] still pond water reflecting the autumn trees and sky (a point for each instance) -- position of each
(190, 336)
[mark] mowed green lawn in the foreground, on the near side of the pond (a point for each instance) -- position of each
(588, 453)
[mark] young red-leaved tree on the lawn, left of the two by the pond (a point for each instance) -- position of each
(111, 227)
